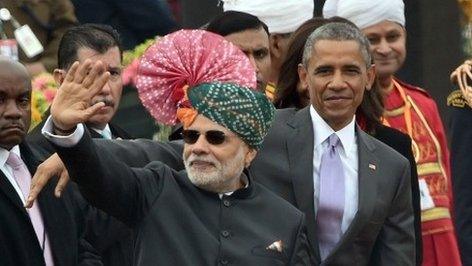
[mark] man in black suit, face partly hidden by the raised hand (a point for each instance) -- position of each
(111, 238)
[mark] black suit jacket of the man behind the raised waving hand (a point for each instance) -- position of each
(112, 239)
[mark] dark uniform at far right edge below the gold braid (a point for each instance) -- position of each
(461, 162)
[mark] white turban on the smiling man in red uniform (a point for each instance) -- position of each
(365, 13)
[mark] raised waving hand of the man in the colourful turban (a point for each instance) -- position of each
(71, 104)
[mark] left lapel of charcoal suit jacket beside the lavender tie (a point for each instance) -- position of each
(299, 144)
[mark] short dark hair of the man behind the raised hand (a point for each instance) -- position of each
(97, 37)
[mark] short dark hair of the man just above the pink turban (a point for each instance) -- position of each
(234, 21)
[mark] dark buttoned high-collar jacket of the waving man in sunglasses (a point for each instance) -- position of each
(179, 224)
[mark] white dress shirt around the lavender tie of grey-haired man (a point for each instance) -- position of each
(349, 158)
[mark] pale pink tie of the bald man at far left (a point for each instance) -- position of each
(23, 178)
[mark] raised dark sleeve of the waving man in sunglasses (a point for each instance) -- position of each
(123, 192)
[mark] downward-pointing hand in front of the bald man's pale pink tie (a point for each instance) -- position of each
(51, 167)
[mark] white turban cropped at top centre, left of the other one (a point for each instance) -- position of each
(281, 16)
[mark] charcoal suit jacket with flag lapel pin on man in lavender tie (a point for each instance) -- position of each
(382, 233)
